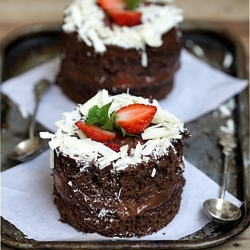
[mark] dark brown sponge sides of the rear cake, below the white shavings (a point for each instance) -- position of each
(84, 72)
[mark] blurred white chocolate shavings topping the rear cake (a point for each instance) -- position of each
(87, 19)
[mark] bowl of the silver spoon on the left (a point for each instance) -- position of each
(26, 149)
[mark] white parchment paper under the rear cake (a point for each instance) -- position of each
(198, 90)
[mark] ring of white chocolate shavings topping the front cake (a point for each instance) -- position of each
(157, 138)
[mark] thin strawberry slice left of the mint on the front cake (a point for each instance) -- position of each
(95, 133)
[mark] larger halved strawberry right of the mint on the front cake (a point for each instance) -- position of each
(135, 118)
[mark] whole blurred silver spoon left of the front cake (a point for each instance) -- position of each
(29, 148)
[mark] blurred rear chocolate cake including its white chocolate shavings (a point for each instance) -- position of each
(97, 53)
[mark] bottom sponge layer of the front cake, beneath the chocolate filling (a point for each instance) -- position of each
(150, 222)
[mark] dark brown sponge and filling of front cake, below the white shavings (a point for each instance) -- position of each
(131, 202)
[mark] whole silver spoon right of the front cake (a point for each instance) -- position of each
(220, 210)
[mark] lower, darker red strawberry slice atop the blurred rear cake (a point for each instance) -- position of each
(126, 18)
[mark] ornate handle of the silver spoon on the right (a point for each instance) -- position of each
(227, 142)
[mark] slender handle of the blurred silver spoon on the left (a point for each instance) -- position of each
(40, 88)
